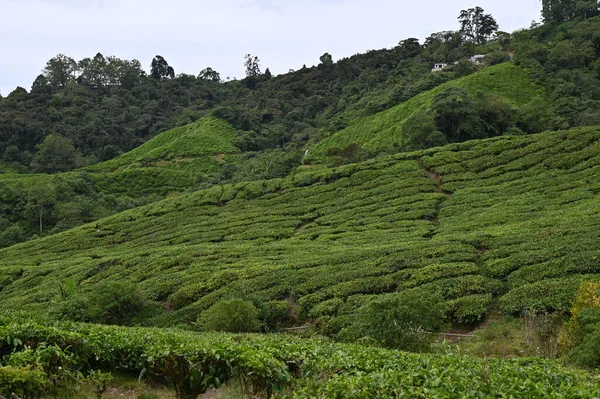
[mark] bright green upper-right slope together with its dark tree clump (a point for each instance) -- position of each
(502, 90)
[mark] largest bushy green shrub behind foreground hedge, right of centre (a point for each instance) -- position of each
(402, 320)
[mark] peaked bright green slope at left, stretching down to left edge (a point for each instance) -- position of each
(172, 162)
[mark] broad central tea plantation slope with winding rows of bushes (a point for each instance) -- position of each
(514, 218)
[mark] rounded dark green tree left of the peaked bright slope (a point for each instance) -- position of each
(55, 154)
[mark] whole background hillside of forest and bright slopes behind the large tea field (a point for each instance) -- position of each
(381, 102)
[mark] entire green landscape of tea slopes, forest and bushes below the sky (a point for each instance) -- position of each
(395, 226)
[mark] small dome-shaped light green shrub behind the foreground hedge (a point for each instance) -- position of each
(234, 315)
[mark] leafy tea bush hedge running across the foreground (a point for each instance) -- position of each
(283, 367)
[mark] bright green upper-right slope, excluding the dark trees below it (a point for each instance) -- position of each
(384, 131)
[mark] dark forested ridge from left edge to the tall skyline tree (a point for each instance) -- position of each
(105, 106)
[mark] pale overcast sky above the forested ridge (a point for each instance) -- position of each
(194, 34)
